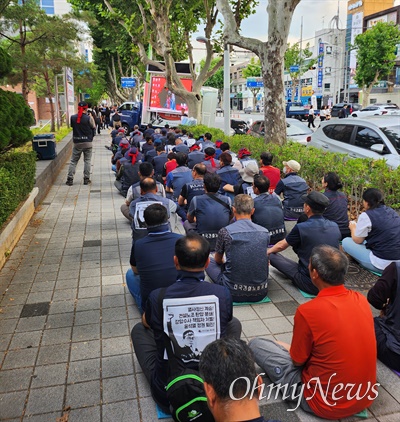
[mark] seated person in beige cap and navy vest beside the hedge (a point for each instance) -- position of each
(293, 187)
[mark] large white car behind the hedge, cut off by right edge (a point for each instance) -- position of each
(372, 137)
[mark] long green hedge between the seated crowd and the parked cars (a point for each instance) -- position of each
(356, 174)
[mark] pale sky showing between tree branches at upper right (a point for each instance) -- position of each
(317, 15)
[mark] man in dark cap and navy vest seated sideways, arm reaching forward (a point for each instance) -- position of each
(316, 231)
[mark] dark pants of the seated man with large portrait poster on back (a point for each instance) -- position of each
(146, 350)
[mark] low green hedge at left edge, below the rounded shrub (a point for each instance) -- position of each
(17, 178)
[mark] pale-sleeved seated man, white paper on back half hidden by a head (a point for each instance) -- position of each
(148, 190)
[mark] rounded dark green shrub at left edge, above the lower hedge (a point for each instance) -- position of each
(15, 119)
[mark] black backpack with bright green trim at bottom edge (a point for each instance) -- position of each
(185, 388)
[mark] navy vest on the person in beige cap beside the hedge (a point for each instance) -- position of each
(295, 188)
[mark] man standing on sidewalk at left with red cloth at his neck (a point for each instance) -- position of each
(82, 135)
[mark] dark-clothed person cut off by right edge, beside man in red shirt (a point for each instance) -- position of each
(385, 295)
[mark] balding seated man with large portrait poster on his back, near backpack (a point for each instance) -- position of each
(191, 258)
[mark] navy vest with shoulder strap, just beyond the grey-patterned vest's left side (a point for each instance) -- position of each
(211, 216)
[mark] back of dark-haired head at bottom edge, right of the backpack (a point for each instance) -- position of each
(228, 363)
